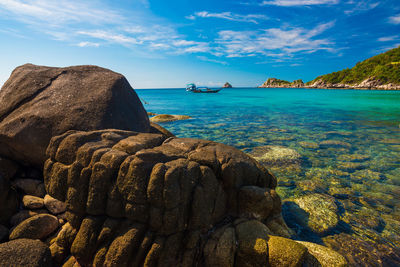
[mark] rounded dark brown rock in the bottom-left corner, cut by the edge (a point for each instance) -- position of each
(25, 252)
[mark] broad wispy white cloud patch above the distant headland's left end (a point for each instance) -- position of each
(274, 41)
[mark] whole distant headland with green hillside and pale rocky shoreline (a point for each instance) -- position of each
(381, 72)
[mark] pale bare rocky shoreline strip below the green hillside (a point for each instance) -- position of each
(368, 84)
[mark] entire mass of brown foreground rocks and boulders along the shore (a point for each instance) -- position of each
(87, 180)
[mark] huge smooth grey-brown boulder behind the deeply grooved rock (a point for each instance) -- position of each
(39, 102)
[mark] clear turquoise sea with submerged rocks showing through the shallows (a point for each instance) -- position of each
(349, 146)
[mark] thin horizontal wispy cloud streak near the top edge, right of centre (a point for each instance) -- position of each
(253, 18)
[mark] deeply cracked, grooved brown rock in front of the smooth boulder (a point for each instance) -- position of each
(138, 199)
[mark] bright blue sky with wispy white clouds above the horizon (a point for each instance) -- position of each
(159, 44)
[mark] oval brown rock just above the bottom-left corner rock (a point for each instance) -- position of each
(37, 227)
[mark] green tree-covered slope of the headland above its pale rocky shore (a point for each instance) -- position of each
(384, 67)
